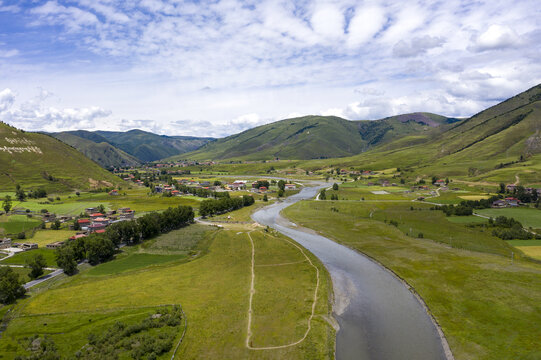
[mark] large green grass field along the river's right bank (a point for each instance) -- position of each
(487, 307)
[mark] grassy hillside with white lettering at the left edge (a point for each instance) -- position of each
(36, 160)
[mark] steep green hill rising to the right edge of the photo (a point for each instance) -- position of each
(497, 144)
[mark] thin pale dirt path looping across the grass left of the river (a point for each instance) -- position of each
(252, 292)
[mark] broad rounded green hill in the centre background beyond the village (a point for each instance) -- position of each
(312, 137)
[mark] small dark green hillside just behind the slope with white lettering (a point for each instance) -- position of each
(97, 149)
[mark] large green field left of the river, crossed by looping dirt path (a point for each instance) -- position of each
(213, 290)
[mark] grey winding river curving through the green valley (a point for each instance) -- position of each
(379, 317)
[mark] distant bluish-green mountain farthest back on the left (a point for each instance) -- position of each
(147, 146)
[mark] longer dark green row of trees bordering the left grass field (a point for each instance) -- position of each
(97, 248)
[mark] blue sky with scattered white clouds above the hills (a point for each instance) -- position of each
(215, 68)
